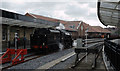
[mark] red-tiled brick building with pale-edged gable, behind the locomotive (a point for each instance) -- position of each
(76, 28)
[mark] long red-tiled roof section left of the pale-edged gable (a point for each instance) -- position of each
(70, 26)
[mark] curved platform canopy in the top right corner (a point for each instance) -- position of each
(109, 12)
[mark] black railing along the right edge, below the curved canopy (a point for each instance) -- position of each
(112, 51)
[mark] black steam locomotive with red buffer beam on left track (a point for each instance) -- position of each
(47, 39)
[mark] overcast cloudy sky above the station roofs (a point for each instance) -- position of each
(72, 10)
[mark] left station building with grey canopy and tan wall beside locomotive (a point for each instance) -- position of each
(24, 26)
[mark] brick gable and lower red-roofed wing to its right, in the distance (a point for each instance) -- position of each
(93, 31)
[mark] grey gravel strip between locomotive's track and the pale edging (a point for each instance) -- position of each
(35, 63)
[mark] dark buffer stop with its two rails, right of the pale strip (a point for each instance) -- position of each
(95, 49)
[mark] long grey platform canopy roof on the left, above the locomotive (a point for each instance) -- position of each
(14, 19)
